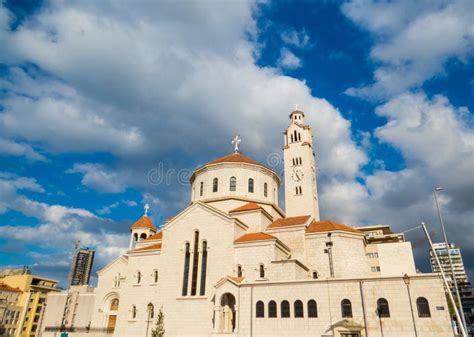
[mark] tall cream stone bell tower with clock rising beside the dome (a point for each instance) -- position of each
(301, 192)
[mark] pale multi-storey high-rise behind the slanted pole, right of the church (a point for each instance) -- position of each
(456, 258)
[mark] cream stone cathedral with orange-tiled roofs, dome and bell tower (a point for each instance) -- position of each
(233, 263)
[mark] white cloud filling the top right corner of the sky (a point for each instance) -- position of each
(414, 40)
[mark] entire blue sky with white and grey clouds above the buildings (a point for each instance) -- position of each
(95, 96)
